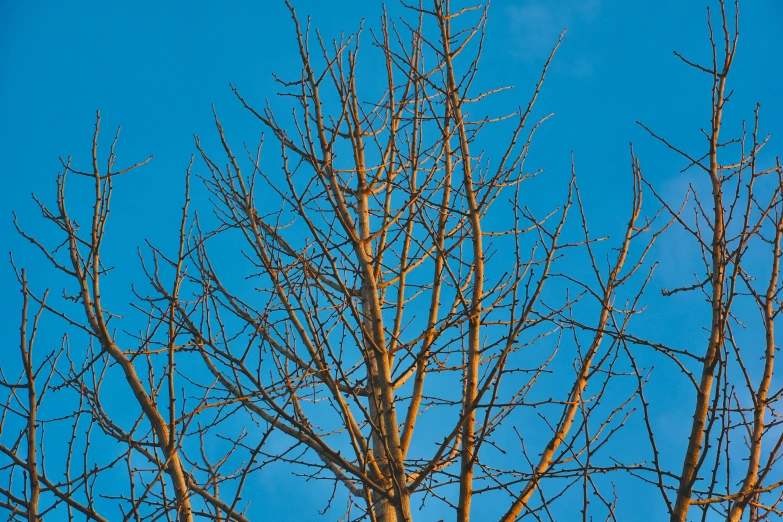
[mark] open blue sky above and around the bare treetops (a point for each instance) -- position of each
(156, 67)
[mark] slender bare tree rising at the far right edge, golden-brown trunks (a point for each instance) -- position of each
(743, 220)
